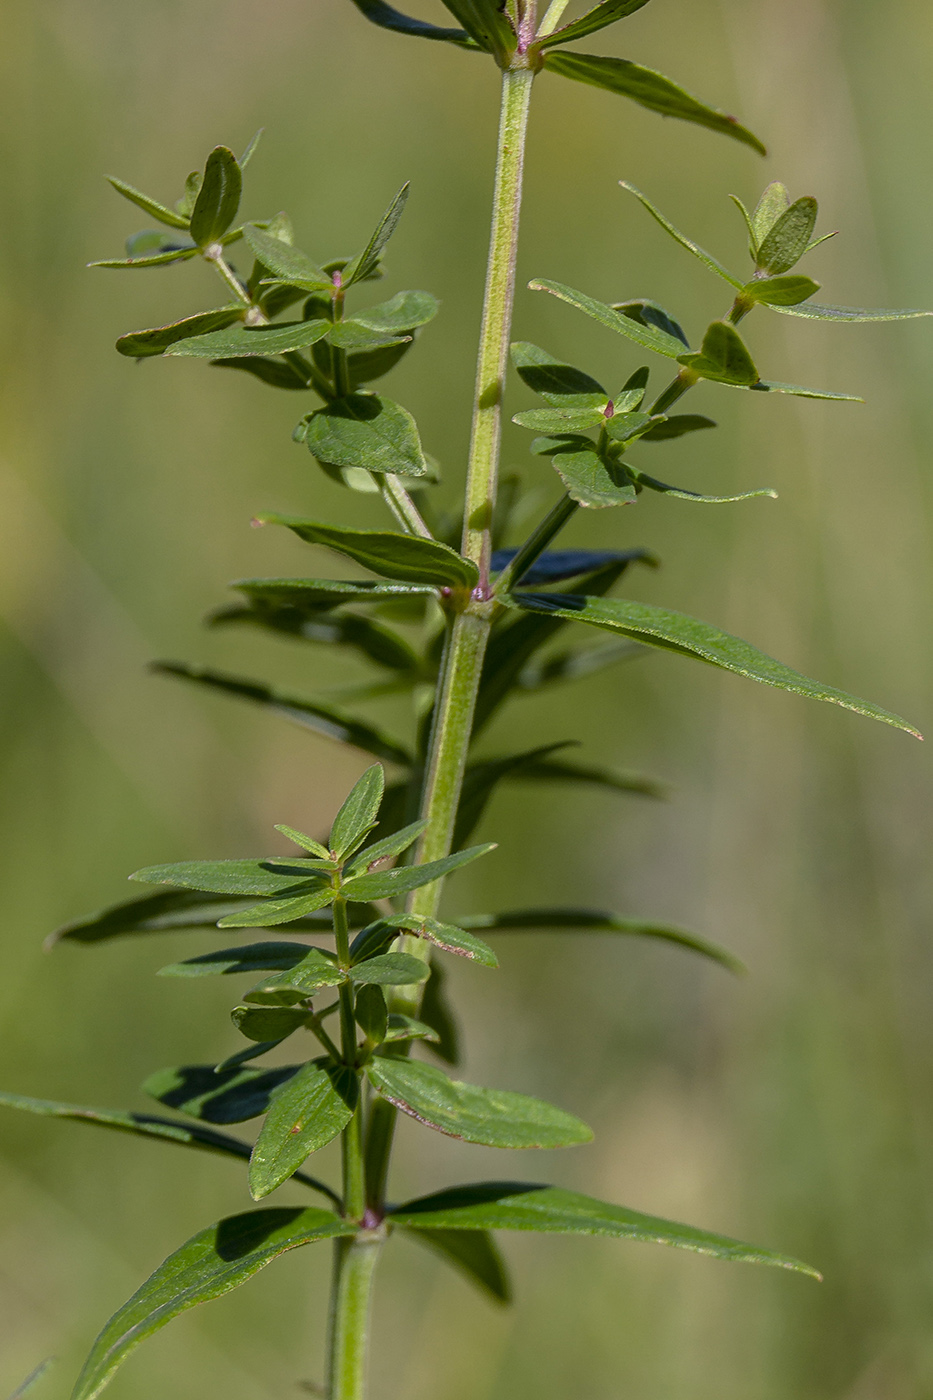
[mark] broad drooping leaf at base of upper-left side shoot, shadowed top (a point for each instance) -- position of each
(369, 432)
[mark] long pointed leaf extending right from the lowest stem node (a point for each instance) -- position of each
(553, 1210)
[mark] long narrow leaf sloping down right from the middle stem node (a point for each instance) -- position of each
(689, 636)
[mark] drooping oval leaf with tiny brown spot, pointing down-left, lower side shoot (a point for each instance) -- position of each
(315, 1108)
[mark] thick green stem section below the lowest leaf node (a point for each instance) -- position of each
(355, 1263)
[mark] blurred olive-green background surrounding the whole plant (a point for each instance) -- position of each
(792, 1108)
